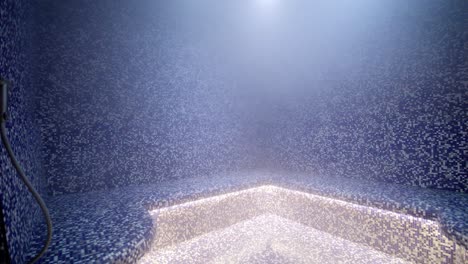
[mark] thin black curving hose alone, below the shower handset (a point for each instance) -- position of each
(31, 189)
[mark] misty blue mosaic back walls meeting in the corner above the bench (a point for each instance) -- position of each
(137, 93)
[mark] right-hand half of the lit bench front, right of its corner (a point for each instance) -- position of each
(415, 239)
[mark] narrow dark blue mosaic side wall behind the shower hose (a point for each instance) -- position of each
(20, 212)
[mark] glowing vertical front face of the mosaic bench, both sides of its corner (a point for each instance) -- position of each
(414, 239)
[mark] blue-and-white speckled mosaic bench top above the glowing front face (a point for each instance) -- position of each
(115, 226)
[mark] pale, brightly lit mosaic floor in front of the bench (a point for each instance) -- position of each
(268, 239)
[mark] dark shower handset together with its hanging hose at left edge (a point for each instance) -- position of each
(22, 175)
